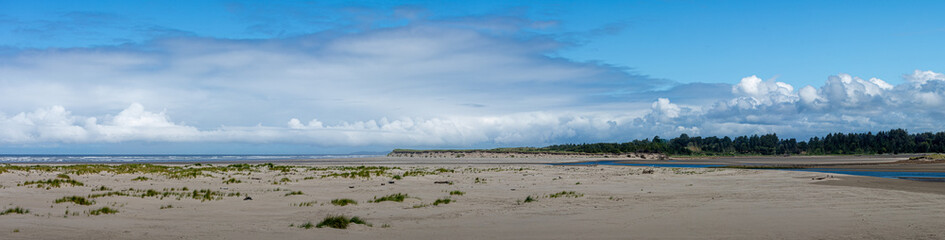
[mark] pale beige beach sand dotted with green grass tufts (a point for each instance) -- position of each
(609, 202)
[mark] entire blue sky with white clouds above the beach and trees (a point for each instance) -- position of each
(161, 77)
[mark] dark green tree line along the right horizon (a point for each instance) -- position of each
(892, 141)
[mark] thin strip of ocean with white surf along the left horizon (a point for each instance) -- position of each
(164, 158)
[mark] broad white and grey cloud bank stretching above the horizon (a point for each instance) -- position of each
(470, 82)
